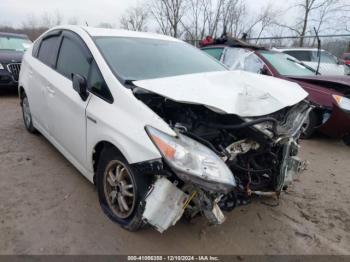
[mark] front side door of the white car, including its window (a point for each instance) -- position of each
(67, 109)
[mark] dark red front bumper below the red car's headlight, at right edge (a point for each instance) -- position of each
(338, 125)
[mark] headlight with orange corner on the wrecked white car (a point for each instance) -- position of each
(192, 161)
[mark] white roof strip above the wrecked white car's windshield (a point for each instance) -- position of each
(107, 32)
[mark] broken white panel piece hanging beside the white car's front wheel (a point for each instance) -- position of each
(164, 205)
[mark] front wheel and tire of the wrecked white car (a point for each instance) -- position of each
(110, 197)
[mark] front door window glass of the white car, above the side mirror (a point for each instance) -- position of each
(72, 59)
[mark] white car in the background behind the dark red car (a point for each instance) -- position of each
(329, 64)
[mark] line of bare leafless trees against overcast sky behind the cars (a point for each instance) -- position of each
(192, 20)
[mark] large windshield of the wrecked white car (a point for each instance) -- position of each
(139, 58)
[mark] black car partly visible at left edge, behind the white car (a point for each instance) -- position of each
(12, 47)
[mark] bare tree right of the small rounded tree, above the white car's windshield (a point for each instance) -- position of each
(168, 15)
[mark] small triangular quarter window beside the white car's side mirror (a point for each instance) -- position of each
(97, 85)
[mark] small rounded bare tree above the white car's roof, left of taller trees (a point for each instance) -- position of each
(135, 19)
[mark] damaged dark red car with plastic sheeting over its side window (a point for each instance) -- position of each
(330, 95)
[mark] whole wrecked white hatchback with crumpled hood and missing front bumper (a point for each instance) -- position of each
(162, 129)
